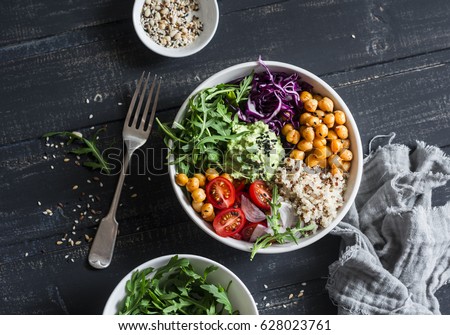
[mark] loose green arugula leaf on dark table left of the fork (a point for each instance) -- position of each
(88, 148)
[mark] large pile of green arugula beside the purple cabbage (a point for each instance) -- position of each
(200, 141)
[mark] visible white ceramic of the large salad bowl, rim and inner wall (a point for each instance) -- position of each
(319, 86)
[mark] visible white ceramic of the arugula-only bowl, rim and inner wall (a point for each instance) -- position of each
(239, 295)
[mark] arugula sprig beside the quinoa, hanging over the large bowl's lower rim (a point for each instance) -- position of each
(273, 222)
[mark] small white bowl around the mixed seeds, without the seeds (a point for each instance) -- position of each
(208, 13)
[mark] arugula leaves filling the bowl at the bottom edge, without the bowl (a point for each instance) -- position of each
(173, 290)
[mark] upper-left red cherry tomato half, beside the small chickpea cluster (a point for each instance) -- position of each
(220, 193)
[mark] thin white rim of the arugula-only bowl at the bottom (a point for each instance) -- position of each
(112, 300)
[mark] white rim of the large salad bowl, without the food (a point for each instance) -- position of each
(275, 248)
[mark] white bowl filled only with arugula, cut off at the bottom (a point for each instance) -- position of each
(180, 285)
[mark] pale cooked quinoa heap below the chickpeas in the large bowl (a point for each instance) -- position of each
(315, 194)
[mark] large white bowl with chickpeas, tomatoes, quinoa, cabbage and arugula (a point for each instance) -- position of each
(264, 157)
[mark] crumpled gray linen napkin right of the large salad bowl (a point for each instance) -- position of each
(395, 250)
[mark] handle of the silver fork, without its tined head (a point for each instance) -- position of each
(102, 248)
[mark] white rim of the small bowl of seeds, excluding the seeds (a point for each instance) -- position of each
(174, 52)
